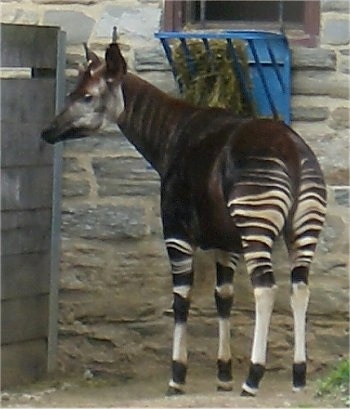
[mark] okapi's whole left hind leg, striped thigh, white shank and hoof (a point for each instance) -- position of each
(259, 206)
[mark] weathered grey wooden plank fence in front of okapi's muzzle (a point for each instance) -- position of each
(27, 196)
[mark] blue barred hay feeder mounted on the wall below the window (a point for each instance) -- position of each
(269, 66)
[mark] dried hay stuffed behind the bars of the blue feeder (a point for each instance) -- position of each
(214, 82)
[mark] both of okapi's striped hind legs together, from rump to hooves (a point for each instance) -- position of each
(262, 202)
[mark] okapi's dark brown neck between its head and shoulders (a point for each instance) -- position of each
(152, 121)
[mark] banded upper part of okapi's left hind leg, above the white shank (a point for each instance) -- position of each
(259, 205)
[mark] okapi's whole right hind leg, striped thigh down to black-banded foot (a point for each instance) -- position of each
(306, 227)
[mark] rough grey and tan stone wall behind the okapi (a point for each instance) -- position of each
(115, 288)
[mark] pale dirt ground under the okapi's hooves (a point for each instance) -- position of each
(59, 391)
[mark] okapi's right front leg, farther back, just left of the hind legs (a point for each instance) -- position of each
(225, 266)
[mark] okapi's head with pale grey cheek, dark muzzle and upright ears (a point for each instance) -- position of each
(98, 96)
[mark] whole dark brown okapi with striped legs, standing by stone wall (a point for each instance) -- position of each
(228, 183)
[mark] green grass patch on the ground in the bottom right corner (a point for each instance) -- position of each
(337, 382)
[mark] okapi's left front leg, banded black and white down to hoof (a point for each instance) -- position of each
(180, 255)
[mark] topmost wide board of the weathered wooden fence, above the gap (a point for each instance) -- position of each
(28, 46)
